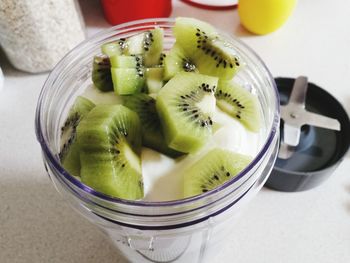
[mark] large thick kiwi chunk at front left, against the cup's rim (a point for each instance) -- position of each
(110, 141)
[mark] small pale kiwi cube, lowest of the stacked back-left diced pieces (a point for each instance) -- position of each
(128, 80)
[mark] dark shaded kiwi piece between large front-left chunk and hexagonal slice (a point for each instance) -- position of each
(152, 136)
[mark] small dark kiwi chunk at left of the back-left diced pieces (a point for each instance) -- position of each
(101, 73)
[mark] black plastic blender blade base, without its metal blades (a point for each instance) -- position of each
(319, 151)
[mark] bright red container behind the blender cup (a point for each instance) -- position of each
(120, 11)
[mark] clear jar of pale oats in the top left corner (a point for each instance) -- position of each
(36, 34)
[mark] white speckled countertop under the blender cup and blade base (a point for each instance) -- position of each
(314, 226)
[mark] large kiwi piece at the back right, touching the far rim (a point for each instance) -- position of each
(199, 48)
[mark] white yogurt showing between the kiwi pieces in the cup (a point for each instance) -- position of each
(163, 176)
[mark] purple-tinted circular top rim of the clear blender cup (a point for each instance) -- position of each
(54, 161)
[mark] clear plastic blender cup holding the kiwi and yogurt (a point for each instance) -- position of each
(187, 230)
